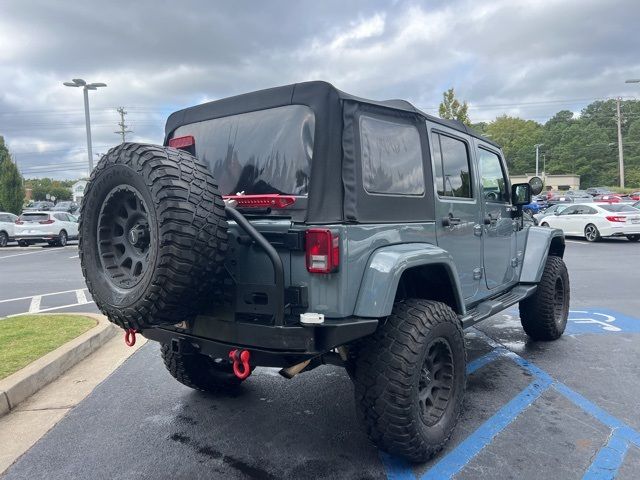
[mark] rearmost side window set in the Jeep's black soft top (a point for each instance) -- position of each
(391, 157)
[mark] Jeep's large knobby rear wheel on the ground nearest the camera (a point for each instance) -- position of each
(410, 378)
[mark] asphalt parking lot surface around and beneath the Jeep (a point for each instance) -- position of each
(566, 409)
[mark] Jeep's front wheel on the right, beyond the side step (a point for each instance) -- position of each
(544, 314)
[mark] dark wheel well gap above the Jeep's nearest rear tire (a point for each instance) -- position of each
(429, 282)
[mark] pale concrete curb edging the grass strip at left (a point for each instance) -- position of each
(25, 382)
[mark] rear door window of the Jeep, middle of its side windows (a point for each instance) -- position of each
(453, 171)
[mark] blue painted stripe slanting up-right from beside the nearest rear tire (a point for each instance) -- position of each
(456, 460)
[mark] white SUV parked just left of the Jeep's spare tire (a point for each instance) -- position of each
(55, 228)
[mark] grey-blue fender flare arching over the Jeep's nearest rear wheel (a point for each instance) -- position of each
(385, 268)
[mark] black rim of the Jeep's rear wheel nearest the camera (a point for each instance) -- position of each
(435, 386)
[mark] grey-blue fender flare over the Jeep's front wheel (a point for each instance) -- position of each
(539, 243)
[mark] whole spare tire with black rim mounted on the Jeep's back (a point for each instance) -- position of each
(153, 235)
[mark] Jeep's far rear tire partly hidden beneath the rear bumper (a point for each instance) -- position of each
(199, 372)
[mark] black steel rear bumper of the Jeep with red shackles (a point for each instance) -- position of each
(270, 346)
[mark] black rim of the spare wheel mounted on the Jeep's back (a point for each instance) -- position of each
(124, 236)
